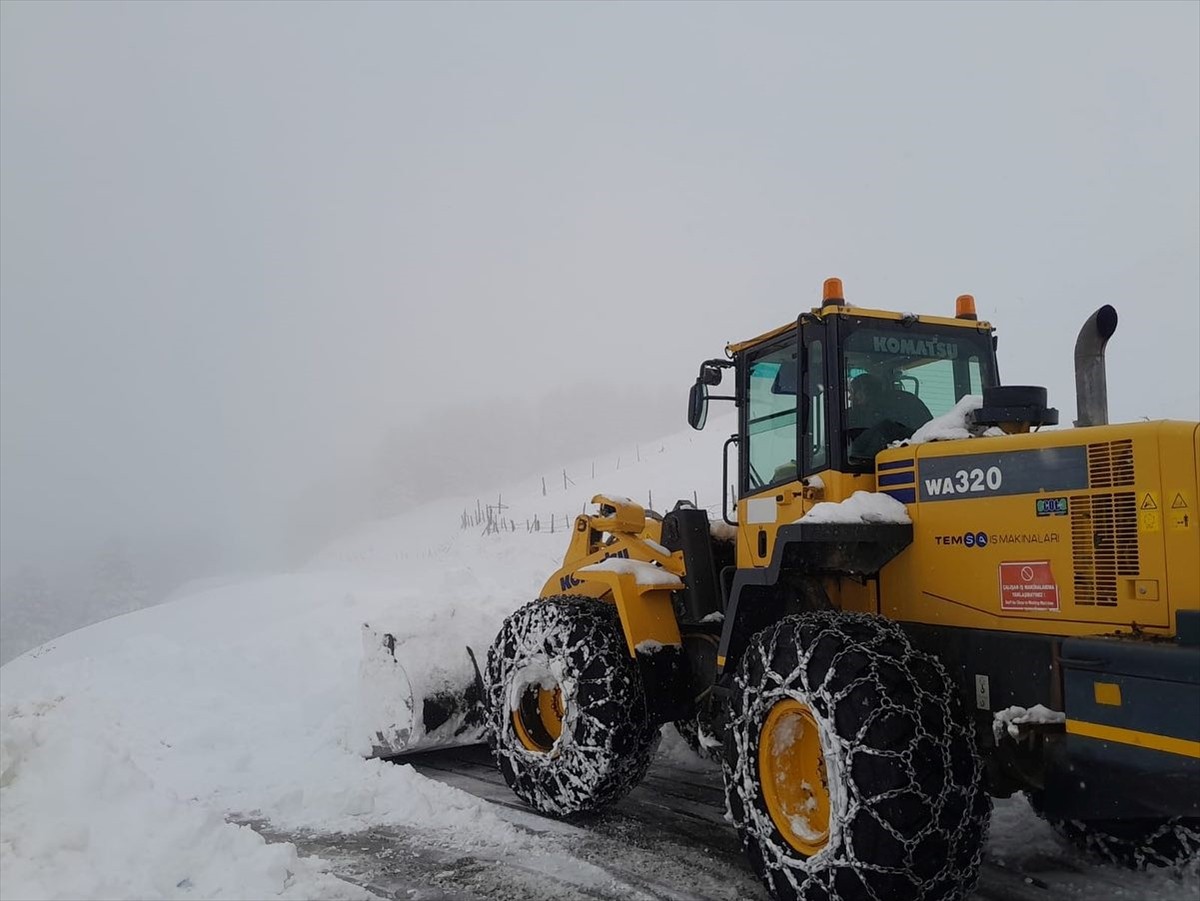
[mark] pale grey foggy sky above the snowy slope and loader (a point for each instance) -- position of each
(271, 271)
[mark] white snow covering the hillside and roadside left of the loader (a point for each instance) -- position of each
(131, 749)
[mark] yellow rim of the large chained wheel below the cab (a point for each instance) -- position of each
(793, 774)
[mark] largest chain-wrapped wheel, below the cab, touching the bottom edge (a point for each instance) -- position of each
(908, 814)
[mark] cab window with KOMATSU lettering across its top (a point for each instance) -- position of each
(899, 377)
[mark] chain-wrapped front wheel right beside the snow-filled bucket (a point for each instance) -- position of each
(574, 647)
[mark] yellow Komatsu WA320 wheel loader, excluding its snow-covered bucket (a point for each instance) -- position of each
(920, 599)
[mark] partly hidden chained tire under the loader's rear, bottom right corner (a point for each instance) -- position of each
(1133, 844)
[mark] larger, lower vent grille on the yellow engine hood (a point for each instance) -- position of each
(1105, 544)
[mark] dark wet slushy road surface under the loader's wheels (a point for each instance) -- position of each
(669, 842)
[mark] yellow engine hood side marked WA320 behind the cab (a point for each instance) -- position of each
(1108, 563)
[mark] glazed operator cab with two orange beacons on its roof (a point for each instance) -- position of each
(842, 385)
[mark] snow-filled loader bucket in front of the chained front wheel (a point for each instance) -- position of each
(400, 711)
